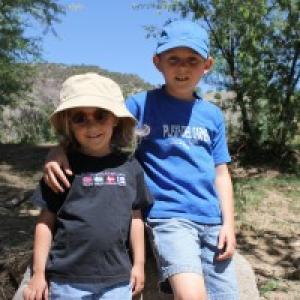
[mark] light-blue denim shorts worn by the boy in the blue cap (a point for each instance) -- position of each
(183, 246)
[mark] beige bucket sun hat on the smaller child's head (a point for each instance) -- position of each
(91, 90)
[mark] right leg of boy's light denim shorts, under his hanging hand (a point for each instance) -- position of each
(220, 277)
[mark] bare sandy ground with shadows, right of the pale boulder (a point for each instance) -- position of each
(269, 237)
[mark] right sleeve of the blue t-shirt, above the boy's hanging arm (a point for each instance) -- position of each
(220, 148)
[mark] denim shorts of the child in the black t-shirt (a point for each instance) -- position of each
(89, 291)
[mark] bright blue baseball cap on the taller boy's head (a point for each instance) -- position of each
(183, 33)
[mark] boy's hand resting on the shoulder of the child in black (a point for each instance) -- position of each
(56, 164)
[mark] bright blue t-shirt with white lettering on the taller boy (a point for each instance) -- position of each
(186, 142)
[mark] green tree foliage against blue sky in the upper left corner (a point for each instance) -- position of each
(17, 48)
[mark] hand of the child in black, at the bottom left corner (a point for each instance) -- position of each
(37, 288)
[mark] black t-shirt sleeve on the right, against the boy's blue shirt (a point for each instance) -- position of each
(143, 197)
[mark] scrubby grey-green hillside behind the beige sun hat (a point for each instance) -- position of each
(27, 121)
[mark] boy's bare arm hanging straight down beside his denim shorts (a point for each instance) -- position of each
(227, 241)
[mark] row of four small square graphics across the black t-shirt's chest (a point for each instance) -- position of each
(104, 178)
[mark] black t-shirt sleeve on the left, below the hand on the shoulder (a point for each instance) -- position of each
(45, 198)
